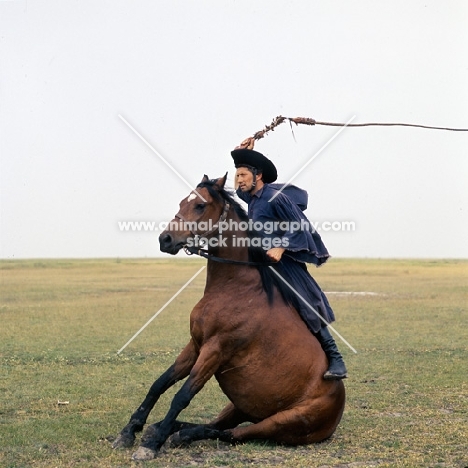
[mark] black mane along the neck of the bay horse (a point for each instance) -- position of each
(270, 280)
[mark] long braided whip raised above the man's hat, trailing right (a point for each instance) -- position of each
(250, 141)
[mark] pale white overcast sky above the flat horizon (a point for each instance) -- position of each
(196, 78)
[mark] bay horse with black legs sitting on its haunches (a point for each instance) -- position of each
(245, 333)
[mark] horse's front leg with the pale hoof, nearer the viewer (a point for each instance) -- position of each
(207, 363)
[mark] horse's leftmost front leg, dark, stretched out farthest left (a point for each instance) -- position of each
(178, 371)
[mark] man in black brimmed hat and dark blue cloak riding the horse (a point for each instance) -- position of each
(292, 246)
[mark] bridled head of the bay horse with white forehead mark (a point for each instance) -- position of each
(198, 216)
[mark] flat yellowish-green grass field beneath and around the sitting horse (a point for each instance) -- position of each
(63, 321)
